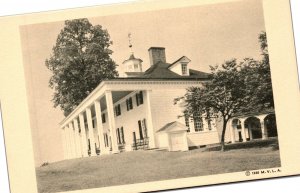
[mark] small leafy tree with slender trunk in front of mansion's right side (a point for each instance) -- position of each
(223, 95)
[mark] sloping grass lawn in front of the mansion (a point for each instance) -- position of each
(145, 166)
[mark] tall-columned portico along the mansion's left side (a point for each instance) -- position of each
(104, 123)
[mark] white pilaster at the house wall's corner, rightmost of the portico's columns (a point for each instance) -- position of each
(152, 141)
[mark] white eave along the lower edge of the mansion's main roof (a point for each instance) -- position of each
(120, 79)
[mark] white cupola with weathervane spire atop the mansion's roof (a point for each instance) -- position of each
(132, 65)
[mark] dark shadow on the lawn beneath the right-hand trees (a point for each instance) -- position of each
(269, 143)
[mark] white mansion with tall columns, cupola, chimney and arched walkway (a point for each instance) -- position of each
(137, 111)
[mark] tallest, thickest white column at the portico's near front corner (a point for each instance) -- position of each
(111, 121)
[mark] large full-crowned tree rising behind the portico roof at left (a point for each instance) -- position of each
(80, 60)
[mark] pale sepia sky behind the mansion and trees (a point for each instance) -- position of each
(207, 35)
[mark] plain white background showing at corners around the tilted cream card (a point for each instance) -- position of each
(289, 184)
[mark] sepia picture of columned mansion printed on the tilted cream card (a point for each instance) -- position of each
(151, 96)
